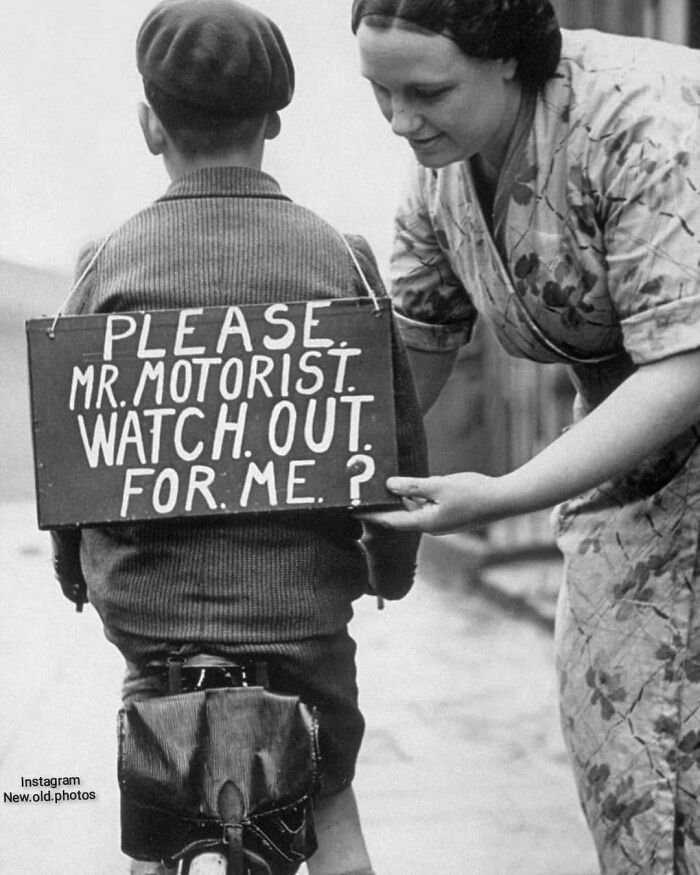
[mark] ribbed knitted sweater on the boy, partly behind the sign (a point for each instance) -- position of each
(221, 236)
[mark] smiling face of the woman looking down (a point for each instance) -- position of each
(448, 106)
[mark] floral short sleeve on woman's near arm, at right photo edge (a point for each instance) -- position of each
(652, 225)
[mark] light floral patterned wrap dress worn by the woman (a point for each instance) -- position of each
(592, 258)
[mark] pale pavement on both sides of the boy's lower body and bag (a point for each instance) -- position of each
(462, 771)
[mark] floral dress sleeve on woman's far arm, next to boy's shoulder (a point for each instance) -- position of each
(433, 308)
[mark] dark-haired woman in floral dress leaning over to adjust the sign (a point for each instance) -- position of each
(557, 196)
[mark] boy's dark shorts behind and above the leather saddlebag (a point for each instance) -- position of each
(321, 671)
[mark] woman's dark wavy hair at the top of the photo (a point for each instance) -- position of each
(526, 30)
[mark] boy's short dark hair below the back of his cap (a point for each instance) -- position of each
(197, 130)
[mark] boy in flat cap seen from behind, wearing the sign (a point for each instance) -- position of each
(276, 587)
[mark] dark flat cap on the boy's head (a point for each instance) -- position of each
(216, 54)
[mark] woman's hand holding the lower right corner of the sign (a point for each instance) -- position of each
(439, 505)
